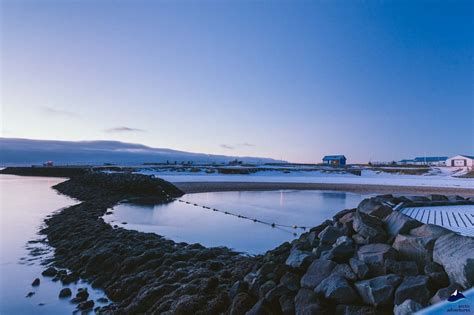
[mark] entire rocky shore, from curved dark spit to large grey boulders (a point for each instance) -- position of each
(369, 260)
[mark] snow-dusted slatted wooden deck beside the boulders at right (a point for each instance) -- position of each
(456, 218)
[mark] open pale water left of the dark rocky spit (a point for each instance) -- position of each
(24, 203)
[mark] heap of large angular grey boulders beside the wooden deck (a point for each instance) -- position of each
(369, 260)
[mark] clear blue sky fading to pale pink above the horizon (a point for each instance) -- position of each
(292, 80)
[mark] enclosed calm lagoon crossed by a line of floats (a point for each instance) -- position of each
(183, 222)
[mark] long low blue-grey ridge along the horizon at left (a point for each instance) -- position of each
(14, 151)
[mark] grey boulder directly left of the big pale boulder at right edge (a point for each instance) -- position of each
(413, 248)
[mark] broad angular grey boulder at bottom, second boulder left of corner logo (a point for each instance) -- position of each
(378, 291)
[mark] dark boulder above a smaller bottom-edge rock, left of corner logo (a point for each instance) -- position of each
(414, 288)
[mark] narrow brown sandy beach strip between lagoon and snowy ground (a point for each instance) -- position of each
(201, 187)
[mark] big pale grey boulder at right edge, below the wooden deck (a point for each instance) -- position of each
(456, 254)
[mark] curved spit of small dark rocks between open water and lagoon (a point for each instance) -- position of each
(139, 272)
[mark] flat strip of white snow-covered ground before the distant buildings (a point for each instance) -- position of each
(439, 178)
